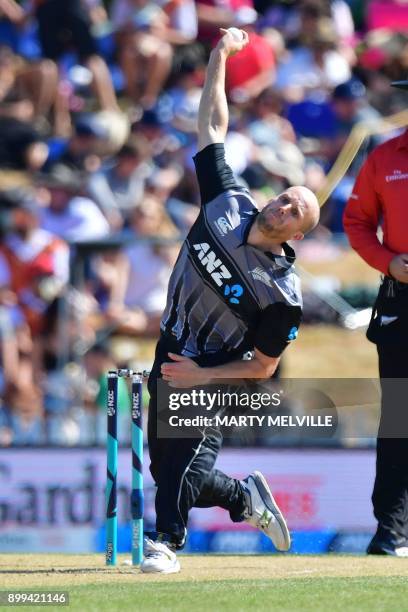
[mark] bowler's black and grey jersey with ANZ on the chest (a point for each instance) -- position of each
(225, 296)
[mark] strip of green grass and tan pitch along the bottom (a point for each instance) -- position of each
(324, 583)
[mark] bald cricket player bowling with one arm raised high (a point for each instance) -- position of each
(233, 290)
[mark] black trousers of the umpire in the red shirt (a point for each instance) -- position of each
(389, 330)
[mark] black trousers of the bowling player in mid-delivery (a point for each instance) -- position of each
(183, 469)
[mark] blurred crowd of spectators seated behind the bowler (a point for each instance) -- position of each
(98, 109)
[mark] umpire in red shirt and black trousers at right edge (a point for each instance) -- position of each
(380, 198)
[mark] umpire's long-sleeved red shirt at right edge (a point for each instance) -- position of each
(380, 197)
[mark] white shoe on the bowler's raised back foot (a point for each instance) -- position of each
(262, 511)
